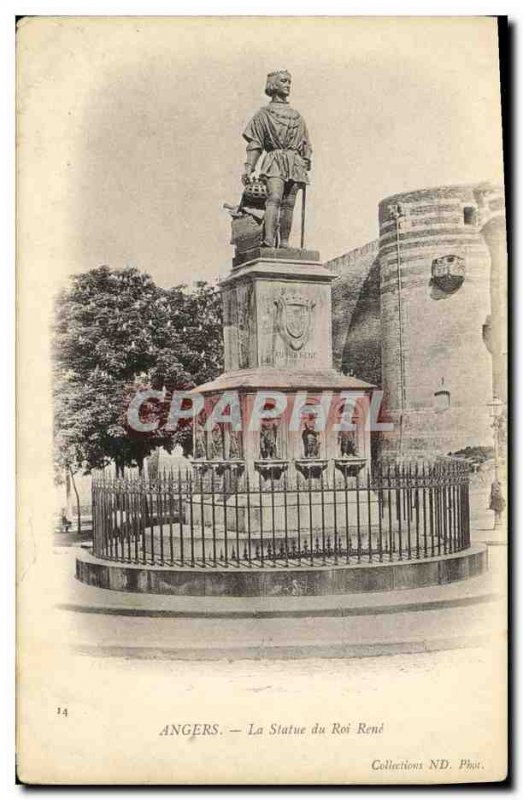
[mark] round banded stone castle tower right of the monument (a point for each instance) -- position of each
(435, 286)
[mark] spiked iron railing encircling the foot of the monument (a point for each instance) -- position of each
(218, 516)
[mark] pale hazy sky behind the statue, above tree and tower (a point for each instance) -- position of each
(129, 129)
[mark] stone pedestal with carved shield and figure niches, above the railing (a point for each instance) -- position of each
(278, 338)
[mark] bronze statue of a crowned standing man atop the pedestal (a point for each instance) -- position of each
(280, 132)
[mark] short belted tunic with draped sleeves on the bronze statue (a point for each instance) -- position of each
(281, 132)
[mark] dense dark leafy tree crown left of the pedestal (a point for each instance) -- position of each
(116, 332)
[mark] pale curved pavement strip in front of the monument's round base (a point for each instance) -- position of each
(278, 638)
